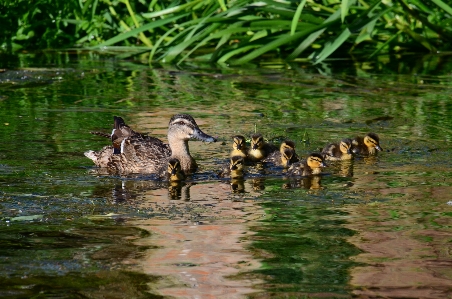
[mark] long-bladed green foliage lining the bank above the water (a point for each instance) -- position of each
(231, 31)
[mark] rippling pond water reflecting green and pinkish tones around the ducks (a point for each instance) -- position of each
(376, 227)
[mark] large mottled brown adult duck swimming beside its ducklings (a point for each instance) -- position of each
(145, 154)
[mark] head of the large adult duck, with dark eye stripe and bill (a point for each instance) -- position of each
(184, 127)
